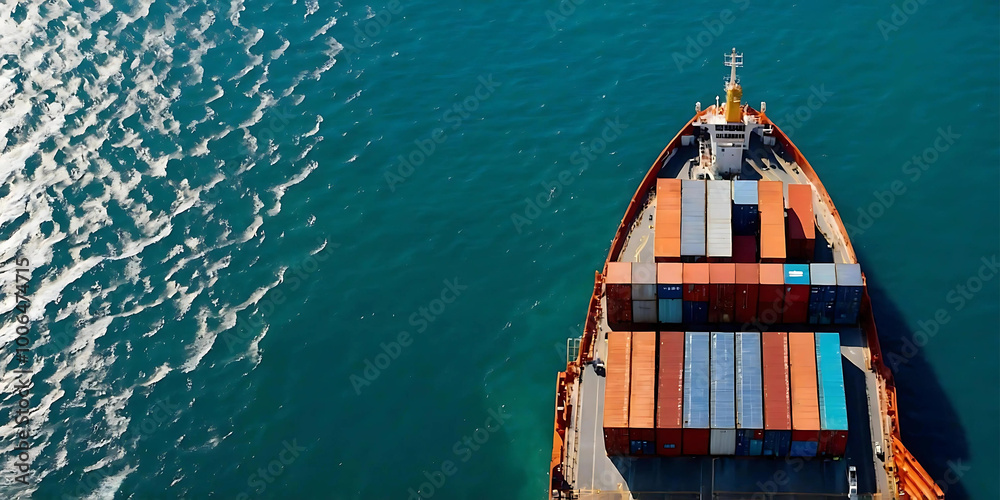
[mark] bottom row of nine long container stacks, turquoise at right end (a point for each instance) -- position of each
(725, 393)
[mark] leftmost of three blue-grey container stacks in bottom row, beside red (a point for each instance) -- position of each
(697, 430)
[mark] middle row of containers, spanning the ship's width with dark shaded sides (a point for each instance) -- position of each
(648, 294)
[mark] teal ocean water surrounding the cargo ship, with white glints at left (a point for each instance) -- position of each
(312, 249)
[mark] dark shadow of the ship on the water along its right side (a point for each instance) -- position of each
(929, 424)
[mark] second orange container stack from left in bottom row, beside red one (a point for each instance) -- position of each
(642, 401)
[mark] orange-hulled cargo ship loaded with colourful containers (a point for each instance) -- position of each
(730, 349)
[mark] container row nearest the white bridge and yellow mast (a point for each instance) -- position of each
(733, 221)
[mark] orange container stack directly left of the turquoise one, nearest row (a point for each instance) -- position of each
(805, 403)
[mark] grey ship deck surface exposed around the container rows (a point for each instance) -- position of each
(594, 475)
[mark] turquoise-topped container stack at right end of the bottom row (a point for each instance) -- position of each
(832, 399)
